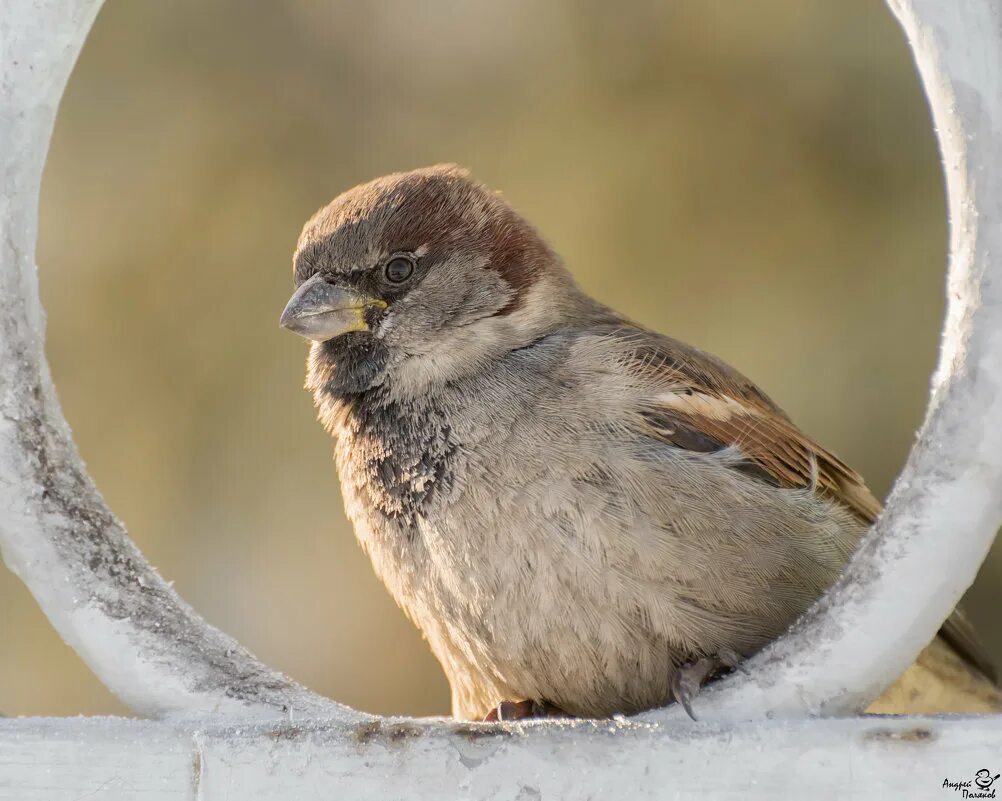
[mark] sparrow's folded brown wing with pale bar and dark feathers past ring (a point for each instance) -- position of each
(704, 405)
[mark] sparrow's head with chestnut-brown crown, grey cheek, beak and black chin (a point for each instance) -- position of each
(418, 278)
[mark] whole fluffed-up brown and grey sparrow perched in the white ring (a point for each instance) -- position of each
(584, 517)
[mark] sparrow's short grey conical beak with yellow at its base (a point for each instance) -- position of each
(321, 311)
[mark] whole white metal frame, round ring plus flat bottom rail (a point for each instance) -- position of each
(229, 727)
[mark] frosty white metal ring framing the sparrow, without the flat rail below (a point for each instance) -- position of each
(154, 651)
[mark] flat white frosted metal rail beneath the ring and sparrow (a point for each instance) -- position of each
(825, 760)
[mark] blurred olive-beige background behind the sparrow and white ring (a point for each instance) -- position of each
(760, 179)
